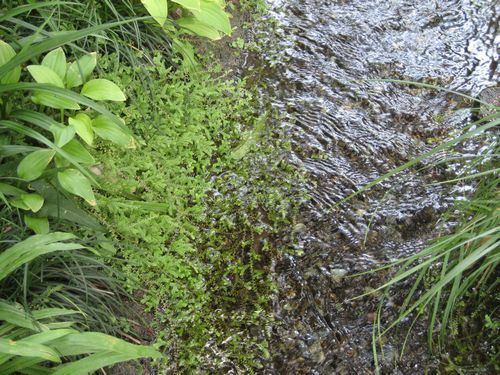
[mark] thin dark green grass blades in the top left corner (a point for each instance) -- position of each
(133, 39)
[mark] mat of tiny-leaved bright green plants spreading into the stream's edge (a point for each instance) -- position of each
(195, 211)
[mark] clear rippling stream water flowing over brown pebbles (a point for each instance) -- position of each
(347, 131)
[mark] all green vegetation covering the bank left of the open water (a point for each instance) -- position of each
(133, 174)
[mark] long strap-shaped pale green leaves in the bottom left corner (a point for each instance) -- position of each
(32, 338)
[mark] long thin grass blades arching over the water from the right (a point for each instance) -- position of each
(460, 264)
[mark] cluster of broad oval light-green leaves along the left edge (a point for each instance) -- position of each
(64, 151)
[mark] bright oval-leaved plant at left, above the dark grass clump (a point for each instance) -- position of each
(64, 149)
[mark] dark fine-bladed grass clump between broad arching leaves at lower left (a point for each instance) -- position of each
(76, 280)
